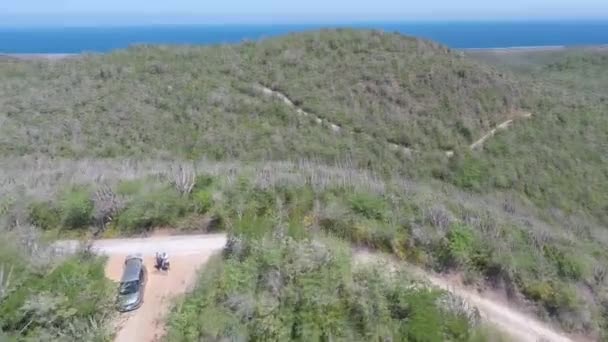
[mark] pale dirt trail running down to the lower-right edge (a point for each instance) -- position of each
(517, 325)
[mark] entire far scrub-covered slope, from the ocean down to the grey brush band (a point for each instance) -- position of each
(381, 88)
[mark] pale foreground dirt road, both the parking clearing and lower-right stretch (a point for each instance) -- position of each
(189, 253)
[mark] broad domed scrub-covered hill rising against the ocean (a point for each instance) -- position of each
(202, 101)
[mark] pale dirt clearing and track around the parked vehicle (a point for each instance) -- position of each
(187, 254)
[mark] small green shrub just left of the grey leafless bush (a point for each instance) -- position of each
(76, 208)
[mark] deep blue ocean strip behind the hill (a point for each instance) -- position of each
(453, 34)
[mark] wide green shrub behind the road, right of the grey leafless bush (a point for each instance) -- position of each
(155, 208)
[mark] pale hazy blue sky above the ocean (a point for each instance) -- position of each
(302, 10)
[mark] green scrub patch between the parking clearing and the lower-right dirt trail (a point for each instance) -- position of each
(284, 289)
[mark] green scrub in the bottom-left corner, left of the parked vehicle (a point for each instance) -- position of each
(47, 297)
